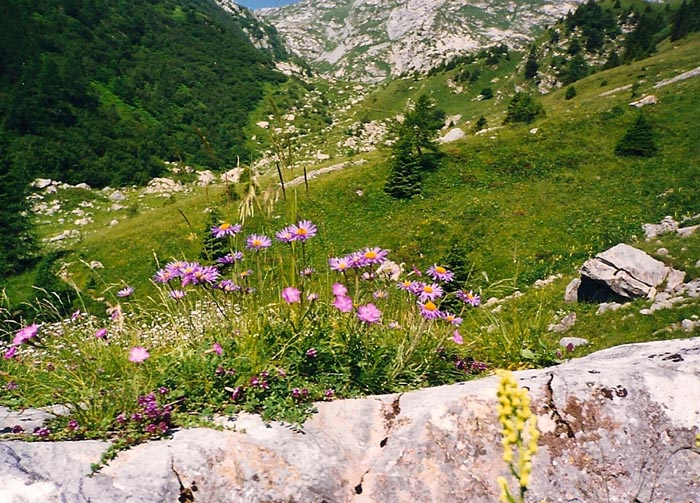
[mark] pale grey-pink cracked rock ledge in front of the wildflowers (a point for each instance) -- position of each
(618, 426)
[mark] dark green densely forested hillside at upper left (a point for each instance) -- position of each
(102, 92)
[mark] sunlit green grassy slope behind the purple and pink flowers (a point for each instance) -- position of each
(518, 205)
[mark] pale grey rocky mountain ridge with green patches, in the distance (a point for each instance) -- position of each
(372, 40)
